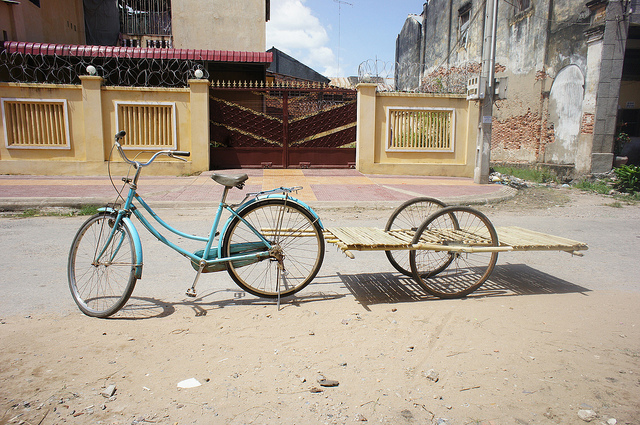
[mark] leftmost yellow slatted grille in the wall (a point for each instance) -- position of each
(35, 123)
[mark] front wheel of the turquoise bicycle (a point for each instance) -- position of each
(101, 286)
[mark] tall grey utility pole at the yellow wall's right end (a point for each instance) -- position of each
(483, 152)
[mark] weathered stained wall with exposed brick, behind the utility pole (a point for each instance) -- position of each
(556, 70)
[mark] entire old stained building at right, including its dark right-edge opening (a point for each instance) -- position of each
(568, 72)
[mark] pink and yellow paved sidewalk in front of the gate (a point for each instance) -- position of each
(335, 187)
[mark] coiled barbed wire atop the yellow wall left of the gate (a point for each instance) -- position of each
(116, 71)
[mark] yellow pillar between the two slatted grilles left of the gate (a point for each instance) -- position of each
(93, 125)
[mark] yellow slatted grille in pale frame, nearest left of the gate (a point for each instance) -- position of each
(148, 125)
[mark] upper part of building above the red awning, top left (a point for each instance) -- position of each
(196, 24)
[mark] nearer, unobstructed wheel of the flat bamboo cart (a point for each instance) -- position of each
(467, 270)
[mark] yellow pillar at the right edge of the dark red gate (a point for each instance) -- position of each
(366, 128)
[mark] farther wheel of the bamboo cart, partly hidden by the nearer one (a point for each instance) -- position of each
(410, 215)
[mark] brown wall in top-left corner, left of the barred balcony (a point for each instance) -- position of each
(55, 21)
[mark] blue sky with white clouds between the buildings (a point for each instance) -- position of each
(334, 37)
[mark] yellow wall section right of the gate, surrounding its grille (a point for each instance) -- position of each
(373, 158)
